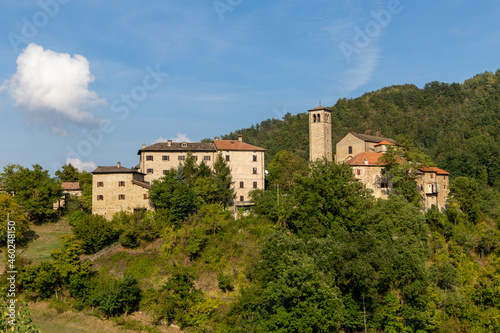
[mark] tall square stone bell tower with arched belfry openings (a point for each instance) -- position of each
(320, 133)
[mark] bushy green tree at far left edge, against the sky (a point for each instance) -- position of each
(34, 189)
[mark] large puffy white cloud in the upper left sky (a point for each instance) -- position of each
(53, 89)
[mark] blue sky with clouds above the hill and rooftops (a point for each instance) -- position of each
(90, 81)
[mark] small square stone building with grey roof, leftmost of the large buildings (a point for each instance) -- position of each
(115, 189)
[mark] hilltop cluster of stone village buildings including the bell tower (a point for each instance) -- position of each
(116, 188)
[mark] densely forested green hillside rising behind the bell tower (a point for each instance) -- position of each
(458, 125)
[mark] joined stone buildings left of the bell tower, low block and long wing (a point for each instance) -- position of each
(115, 188)
